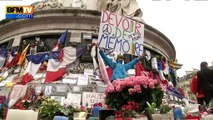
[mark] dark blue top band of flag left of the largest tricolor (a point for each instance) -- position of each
(37, 58)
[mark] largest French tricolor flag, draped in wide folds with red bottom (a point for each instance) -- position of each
(59, 60)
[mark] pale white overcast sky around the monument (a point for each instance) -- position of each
(187, 23)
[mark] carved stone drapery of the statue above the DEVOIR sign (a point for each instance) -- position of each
(128, 8)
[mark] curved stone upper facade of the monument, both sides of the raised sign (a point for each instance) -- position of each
(80, 18)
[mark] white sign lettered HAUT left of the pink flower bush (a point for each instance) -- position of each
(90, 98)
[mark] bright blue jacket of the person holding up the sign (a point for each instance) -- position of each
(119, 69)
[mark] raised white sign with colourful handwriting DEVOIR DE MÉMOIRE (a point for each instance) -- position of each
(121, 34)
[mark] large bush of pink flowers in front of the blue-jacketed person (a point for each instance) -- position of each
(121, 94)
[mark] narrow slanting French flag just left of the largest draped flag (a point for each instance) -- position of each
(34, 63)
